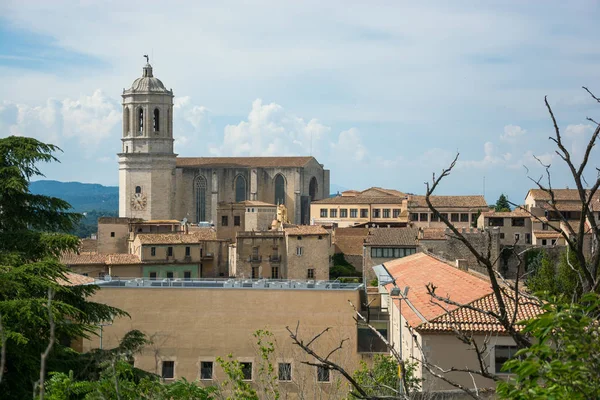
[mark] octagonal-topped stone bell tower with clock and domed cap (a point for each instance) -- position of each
(147, 161)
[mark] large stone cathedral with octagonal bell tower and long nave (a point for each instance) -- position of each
(156, 184)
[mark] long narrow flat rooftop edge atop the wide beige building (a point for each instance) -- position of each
(225, 283)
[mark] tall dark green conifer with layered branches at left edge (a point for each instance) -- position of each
(32, 235)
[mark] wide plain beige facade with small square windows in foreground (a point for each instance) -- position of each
(211, 322)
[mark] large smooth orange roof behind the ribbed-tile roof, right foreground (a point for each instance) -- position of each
(419, 269)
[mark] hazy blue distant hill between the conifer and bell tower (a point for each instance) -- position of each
(82, 196)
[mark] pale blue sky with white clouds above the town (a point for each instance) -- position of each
(383, 93)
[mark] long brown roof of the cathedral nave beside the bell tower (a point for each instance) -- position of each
(246, 162)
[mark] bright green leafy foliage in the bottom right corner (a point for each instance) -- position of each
(564, 361)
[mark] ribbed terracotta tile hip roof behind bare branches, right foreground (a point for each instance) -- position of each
(465, 319)
